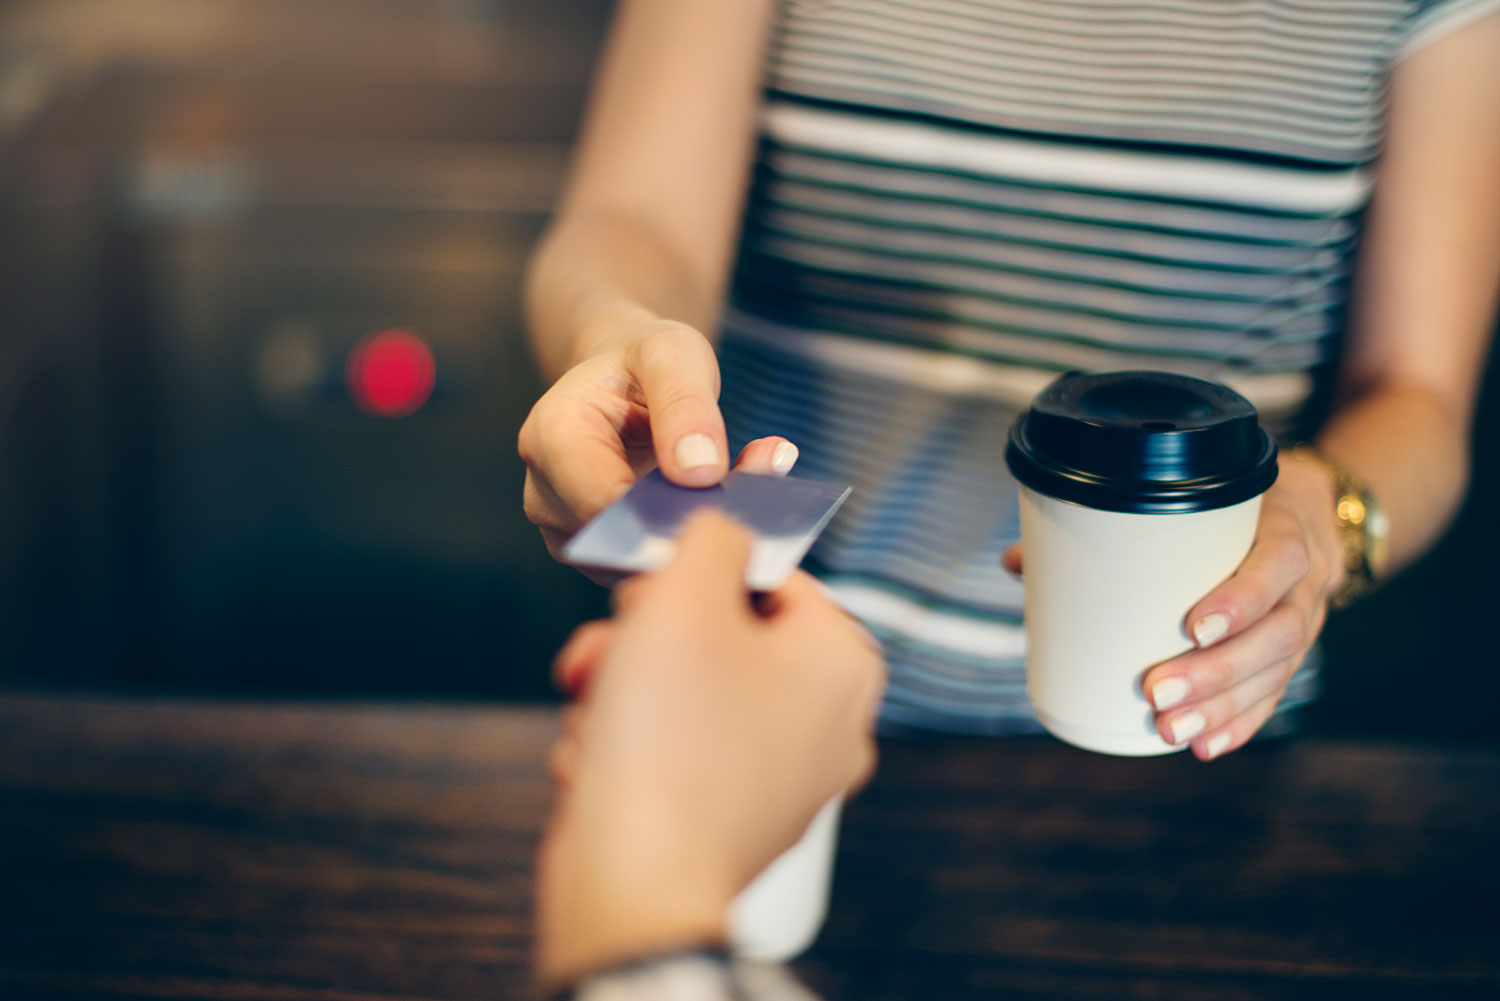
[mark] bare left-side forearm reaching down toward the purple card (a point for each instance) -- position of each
(649, 223)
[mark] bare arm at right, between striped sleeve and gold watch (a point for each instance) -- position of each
(1426, 292)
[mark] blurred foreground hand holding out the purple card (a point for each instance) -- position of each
(706, 738)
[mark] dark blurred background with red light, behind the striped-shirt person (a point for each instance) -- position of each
(262, 367)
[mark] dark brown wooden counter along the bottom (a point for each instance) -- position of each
(157, 849)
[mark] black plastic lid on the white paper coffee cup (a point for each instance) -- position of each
(1150, 443)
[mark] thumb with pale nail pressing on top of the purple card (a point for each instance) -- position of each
(679, 374)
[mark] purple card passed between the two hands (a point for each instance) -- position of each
(638, 532)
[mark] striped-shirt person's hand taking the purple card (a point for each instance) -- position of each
(646, 398)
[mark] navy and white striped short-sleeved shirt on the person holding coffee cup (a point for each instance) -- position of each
(958, 200)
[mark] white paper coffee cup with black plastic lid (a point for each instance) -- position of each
(1139, 494)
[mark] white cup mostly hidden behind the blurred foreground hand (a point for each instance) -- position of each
(779, 915)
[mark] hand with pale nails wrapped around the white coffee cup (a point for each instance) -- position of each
(1255, 630)
